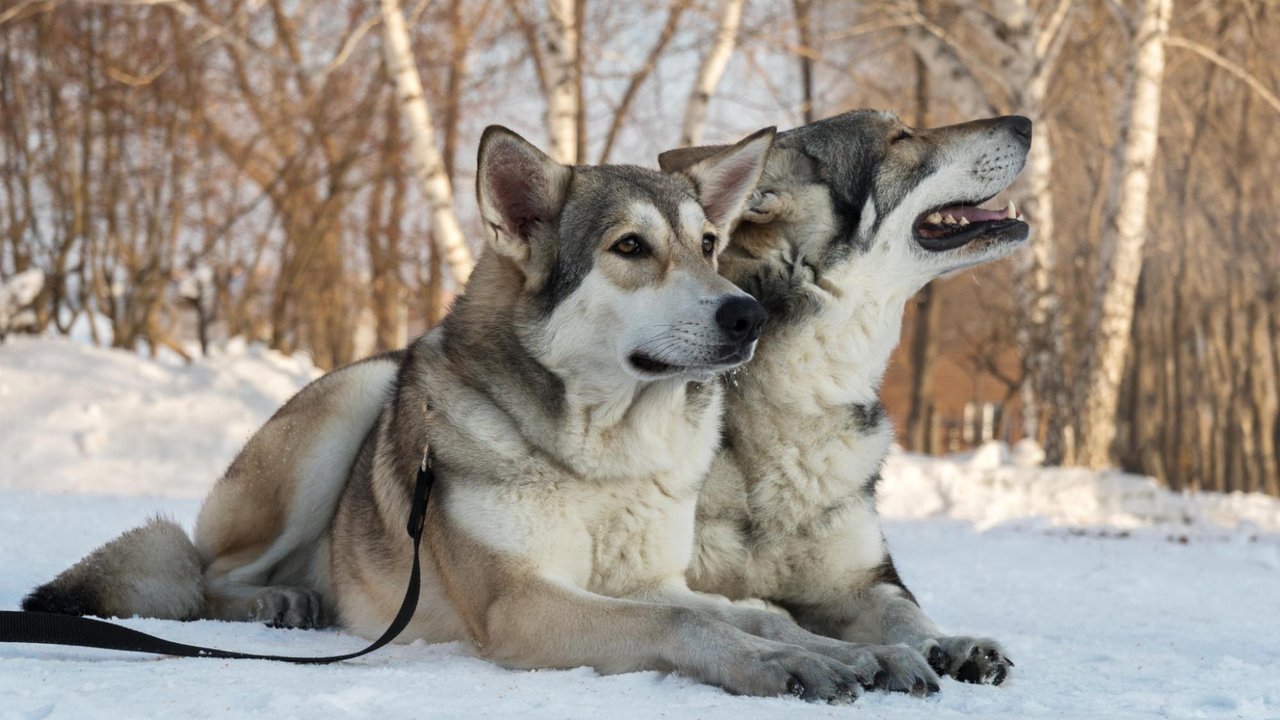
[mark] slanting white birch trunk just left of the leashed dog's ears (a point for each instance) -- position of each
(428, 163)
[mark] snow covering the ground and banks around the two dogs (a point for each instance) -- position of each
(1116, 599)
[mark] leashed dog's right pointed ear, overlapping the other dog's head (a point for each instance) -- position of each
(728, 179)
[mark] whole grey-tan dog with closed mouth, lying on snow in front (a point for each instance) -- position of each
(572, 408)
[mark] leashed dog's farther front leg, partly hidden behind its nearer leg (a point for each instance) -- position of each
(883, 667)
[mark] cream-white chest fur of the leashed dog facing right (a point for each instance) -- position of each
(612, 508)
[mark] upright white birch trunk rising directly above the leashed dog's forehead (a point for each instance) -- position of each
(561, 35)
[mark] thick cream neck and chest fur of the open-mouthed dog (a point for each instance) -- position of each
(803, 454)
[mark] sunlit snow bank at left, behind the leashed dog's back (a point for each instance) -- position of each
(79, 418)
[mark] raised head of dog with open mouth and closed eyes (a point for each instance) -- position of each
(863, 192)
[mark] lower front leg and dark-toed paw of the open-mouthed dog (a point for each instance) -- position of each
(889, 613)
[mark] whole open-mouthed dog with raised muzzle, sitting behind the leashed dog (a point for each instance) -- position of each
(853, 216)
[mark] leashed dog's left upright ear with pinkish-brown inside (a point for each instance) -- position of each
(520, 192)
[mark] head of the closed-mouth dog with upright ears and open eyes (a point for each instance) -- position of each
(619, 265)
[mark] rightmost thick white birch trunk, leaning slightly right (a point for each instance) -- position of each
(1122, 253)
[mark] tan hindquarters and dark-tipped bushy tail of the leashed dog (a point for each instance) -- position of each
(264, 521)
